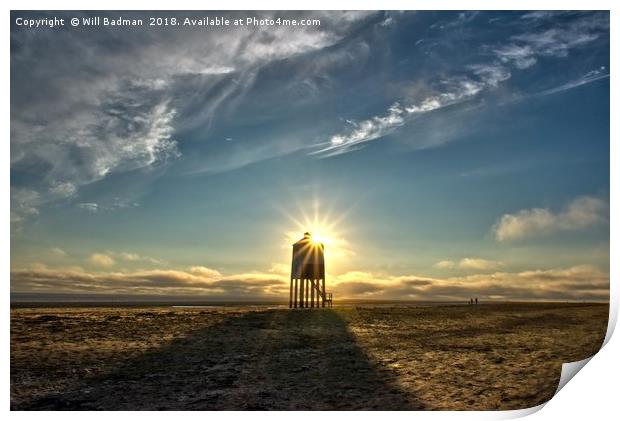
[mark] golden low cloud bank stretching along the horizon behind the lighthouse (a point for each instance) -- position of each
(573, 283)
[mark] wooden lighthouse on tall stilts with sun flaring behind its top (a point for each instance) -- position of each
(308, 275)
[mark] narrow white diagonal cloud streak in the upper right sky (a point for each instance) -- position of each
(521, 52)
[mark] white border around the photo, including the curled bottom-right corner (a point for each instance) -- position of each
(592, 394)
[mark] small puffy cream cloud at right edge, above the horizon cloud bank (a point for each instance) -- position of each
(581, 213)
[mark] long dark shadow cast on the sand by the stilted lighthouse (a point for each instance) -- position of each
(274, 359)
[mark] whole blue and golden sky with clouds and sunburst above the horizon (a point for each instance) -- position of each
(438, 155)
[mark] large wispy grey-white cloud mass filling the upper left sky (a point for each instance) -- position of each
(87, 116)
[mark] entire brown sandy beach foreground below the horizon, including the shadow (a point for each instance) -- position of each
(496, 356)
